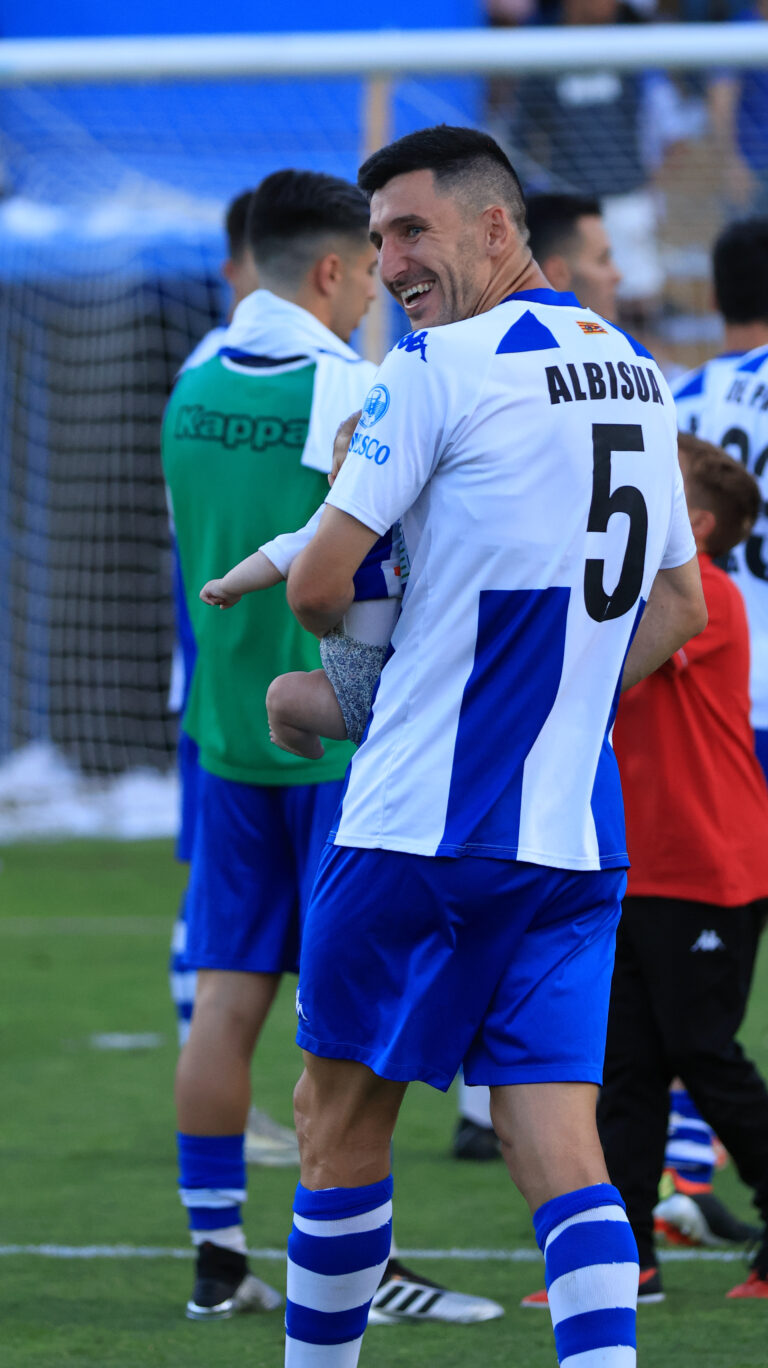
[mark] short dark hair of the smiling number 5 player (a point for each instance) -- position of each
(458, 158)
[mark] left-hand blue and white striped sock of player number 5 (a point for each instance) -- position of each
(337, 1254)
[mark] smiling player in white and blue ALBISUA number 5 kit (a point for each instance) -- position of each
(473, 883)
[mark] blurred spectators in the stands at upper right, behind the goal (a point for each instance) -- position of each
(671, 157)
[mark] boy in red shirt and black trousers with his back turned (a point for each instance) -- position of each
(697, 820)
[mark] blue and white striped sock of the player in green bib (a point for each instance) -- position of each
(213, 1187)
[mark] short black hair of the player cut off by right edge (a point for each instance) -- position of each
(741, 272)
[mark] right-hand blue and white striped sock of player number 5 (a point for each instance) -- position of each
(592, 1277)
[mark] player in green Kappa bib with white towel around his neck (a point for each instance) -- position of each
(247, 444)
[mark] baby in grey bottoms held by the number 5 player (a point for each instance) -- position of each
(336, 701)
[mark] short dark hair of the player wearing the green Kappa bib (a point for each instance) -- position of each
(292, 213)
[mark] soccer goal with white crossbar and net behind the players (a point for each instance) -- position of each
(117, 162)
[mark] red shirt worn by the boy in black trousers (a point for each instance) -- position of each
(695, 793)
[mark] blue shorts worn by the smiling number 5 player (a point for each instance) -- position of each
(417, 965)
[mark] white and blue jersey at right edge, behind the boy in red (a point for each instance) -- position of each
(730, 408)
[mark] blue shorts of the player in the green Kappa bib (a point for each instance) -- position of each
(254, 863)
